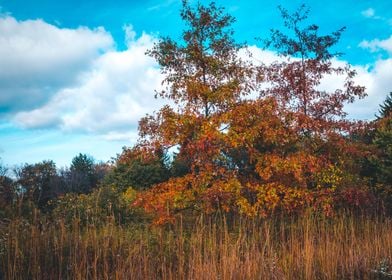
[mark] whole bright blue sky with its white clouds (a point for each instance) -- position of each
(74, 77)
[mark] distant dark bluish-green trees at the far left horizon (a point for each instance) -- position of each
(37, 184)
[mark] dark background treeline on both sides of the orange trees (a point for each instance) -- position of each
(111, 186)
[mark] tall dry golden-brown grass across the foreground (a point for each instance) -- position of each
(343, 247)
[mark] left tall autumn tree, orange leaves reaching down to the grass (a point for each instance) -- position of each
(206, 79)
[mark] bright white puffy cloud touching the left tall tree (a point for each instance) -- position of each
(113, 94)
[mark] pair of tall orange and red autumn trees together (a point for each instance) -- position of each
(257, 139)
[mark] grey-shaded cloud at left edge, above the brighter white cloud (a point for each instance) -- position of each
(37, 59)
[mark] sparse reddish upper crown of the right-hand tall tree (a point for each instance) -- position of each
(306, 60)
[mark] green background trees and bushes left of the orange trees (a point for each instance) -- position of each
(84, 186)
